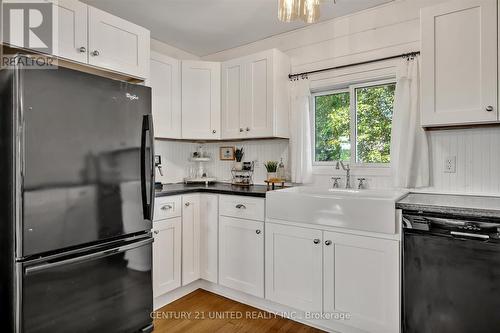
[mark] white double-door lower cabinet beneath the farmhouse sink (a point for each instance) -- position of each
(321, 271)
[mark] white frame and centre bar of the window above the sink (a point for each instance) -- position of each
(351, 89)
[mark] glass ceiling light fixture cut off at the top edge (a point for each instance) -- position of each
(305, 10)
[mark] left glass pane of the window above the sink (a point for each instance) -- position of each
(332, 127)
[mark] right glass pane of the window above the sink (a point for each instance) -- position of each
(374, 108)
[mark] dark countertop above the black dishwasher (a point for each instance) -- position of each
(458, 205)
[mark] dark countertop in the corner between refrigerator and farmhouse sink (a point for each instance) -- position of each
(219, 188)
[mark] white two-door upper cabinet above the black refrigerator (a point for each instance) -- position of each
(87, 35)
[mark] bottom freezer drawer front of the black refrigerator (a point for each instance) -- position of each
(107, 291)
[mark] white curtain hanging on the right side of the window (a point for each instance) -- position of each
(409, 146)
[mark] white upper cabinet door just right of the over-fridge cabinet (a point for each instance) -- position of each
(165, 82)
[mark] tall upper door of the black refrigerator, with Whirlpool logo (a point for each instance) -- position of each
(87, 159)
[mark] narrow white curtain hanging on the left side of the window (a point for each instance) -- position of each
(300, 132)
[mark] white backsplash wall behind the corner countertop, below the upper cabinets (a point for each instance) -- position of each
(176, 164)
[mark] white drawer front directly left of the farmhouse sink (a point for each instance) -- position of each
(242, 207)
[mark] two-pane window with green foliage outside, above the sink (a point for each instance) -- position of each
(354, 124)
